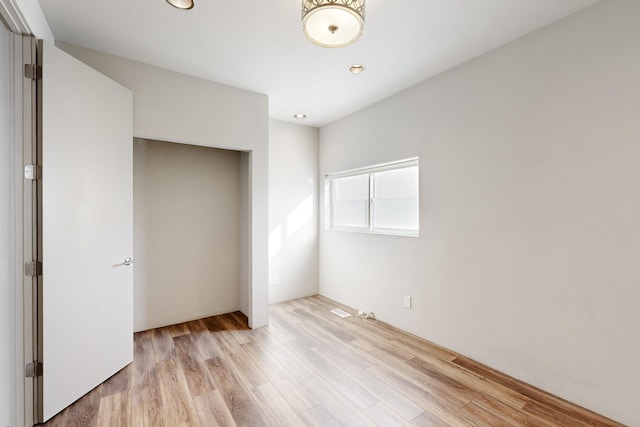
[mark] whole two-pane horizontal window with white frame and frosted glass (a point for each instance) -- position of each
(379, 199)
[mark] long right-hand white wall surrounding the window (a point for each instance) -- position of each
(527, 258)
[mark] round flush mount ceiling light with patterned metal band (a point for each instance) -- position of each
(333, 23)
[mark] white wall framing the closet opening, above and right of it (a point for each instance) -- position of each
(174, 107)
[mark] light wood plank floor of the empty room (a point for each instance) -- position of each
(309, 367)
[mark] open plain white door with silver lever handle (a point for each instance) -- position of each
(87, 210)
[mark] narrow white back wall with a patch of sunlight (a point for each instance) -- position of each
(293, 212)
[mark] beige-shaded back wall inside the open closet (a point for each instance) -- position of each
(186, 225)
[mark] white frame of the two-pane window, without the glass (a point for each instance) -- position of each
(370, 171)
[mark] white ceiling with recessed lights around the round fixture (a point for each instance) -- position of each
(259, 46)
